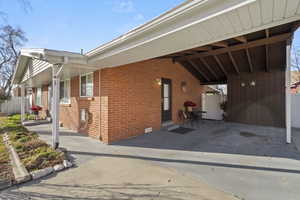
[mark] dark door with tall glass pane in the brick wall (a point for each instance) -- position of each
(166, 99)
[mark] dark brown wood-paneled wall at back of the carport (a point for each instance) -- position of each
(262, 104)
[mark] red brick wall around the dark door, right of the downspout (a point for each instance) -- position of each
(131, 98)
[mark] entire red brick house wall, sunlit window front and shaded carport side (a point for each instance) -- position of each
(130, 99)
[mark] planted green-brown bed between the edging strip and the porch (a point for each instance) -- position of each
(34, 153)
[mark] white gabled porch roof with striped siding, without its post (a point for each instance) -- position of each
(34, 67)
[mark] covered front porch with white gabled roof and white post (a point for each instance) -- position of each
(38, 68)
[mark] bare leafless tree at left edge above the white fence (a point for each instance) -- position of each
(11, 39)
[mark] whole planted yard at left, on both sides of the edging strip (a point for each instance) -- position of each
(34, 153)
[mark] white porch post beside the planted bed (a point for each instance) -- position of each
(56, 69)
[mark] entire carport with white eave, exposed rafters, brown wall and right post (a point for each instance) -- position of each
(245, 44)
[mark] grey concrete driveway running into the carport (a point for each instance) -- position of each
(248, 162)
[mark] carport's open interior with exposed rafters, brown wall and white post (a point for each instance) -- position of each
(255, 67)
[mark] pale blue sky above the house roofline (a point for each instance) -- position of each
(72, 25)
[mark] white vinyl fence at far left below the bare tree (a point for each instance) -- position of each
(13, 106)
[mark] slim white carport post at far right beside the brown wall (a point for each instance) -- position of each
(288, 93)
